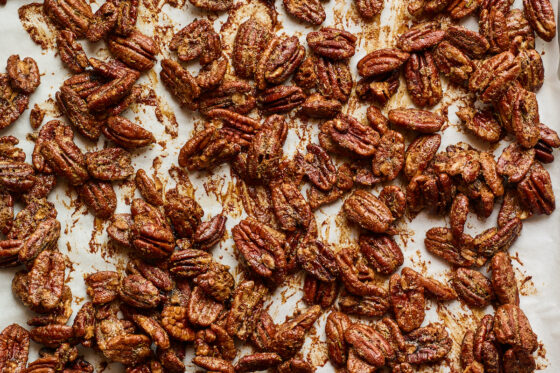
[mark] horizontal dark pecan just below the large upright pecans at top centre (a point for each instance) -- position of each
(280, 99)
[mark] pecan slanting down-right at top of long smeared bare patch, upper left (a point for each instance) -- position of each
(180, 82)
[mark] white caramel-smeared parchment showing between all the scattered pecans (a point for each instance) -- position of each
(84, 239)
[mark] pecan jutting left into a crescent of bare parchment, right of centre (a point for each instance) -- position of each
(440, 242)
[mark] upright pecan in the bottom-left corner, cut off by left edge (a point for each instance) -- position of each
(14, 344)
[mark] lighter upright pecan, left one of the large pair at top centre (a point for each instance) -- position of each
(251, 40)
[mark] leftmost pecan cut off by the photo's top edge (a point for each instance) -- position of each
(74, 15)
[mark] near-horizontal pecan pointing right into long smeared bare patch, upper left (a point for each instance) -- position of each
(127, 134)
